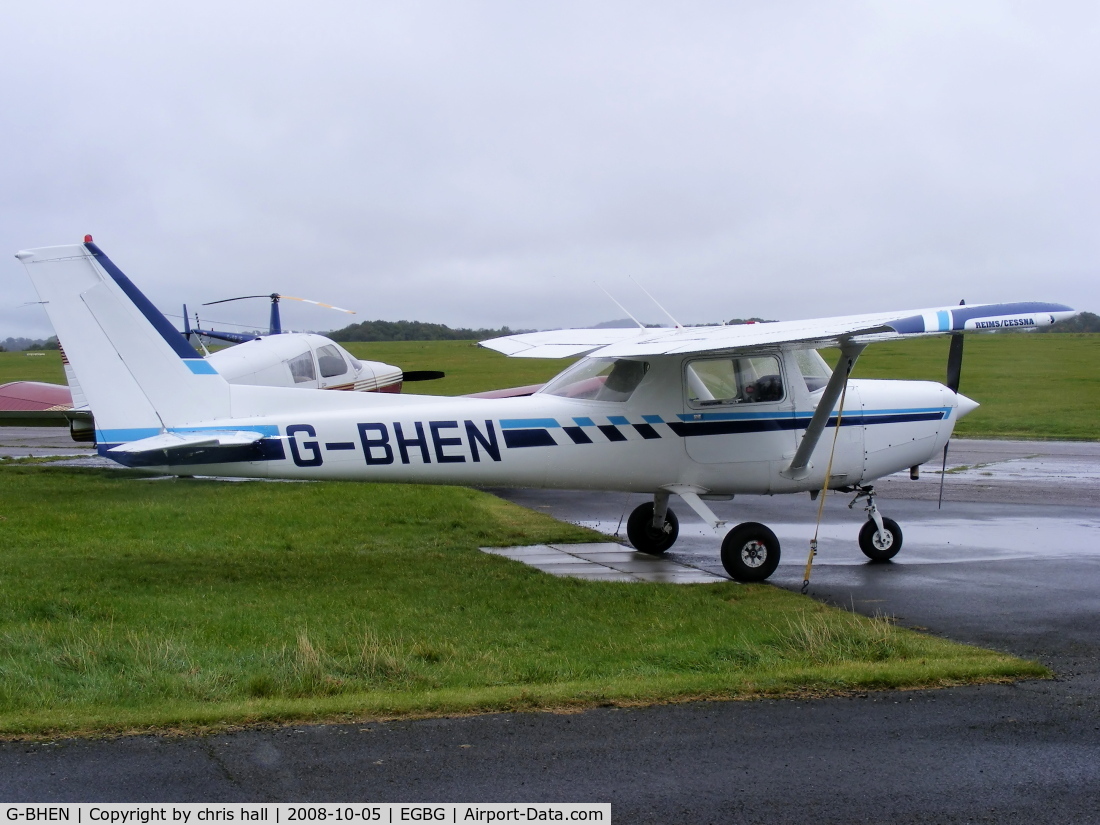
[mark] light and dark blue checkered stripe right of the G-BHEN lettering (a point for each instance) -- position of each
(538, 432)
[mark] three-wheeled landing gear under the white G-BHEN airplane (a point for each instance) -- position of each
(751, 552)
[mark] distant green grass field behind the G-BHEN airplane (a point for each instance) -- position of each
(1041, 387)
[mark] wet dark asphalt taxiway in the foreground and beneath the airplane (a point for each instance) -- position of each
(1013, 562)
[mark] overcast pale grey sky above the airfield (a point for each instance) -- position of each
(483, 163)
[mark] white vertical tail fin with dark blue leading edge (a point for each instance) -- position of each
(159, 381)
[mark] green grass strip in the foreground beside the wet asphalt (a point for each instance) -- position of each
(131, 603)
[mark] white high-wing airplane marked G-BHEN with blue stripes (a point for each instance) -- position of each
(699, 413)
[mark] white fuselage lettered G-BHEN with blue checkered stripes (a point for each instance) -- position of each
(656, 438)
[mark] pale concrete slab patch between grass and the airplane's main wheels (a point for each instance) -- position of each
(606, 563)
